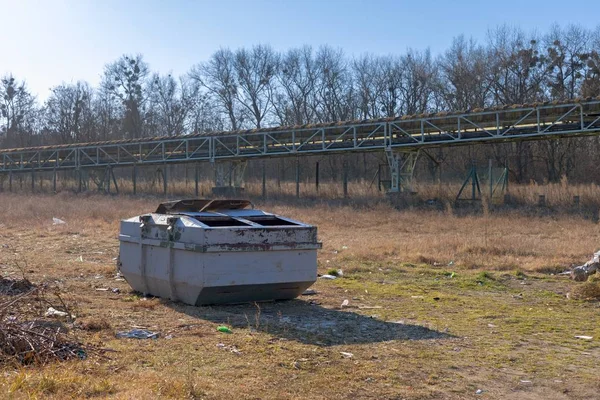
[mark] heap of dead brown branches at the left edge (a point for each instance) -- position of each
(25, 336)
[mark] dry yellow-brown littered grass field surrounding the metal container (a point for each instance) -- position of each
(440, 307)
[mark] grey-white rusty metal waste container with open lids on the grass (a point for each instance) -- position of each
(217, 251)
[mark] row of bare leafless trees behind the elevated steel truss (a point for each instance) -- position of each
(258, 87)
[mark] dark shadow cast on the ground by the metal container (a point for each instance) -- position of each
(309, 323)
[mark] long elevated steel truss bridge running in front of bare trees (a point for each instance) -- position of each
(405, 134)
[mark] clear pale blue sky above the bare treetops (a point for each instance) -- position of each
(47, 42)
